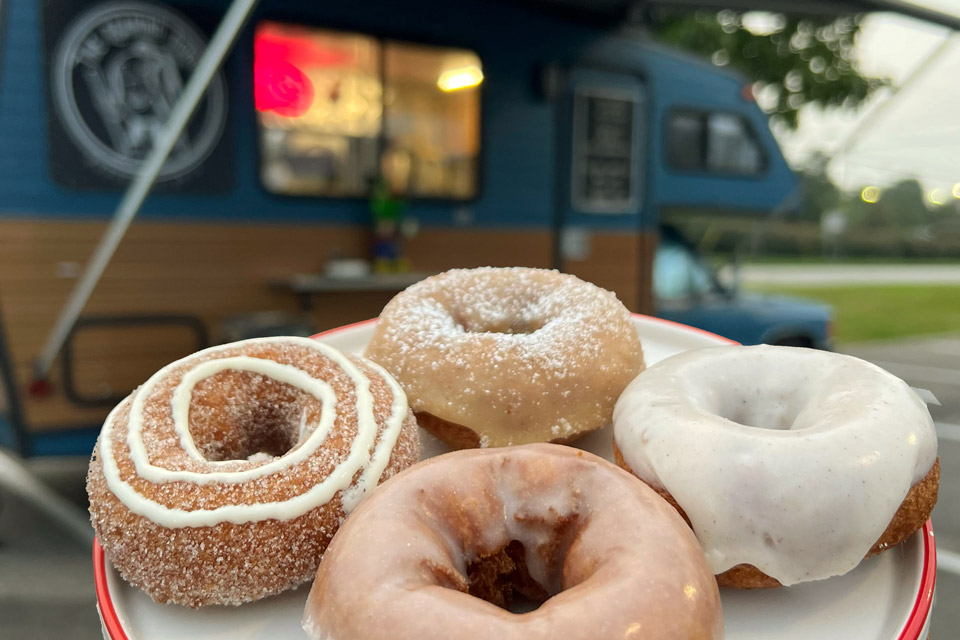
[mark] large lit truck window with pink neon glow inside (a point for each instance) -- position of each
(337, 109)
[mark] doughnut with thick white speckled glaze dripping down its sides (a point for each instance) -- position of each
(790, 464)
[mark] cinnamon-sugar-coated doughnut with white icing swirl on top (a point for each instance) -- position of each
(223, 478)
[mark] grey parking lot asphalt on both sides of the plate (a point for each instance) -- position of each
(46, 578)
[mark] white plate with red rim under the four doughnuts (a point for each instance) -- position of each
(886, 597)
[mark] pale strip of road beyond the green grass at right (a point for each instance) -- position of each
(828, 275)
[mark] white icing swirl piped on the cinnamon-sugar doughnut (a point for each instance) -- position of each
(359, 458)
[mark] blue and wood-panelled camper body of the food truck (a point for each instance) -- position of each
(416, 136)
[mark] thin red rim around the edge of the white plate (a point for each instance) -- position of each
(911, 631)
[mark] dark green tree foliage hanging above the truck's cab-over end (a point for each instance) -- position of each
(798, 61)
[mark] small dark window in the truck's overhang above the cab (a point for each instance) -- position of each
(713, 142)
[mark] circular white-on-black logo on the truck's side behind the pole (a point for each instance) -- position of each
(117, 73)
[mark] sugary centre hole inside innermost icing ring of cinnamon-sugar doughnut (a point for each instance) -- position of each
(235, 415)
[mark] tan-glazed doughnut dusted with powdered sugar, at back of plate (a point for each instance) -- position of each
(494, 357)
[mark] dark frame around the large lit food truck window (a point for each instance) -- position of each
(381, 38)
